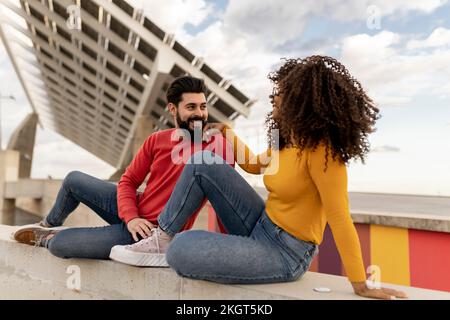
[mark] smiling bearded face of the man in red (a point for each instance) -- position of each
(192, 107)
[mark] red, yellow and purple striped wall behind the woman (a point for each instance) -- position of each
(406, 257)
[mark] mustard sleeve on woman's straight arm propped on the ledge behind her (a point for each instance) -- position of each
(332, 187)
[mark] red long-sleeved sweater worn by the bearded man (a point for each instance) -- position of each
(156, 156)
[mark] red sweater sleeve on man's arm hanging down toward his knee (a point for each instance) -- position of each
(131, 180)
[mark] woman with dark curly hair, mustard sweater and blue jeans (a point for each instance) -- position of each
(322, 116)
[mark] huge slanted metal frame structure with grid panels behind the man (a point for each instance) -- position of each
(91, 84)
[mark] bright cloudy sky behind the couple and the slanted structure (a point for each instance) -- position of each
(399, 50)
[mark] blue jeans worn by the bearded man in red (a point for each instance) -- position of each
(93, 243)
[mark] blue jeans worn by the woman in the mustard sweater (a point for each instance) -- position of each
(255, 250)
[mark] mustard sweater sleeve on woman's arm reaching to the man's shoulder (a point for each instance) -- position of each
(244, 157)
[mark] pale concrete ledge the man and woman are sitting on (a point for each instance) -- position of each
(33, 273)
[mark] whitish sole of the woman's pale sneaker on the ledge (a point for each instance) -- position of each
(138, 259)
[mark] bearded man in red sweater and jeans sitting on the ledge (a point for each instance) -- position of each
(130, 216)
